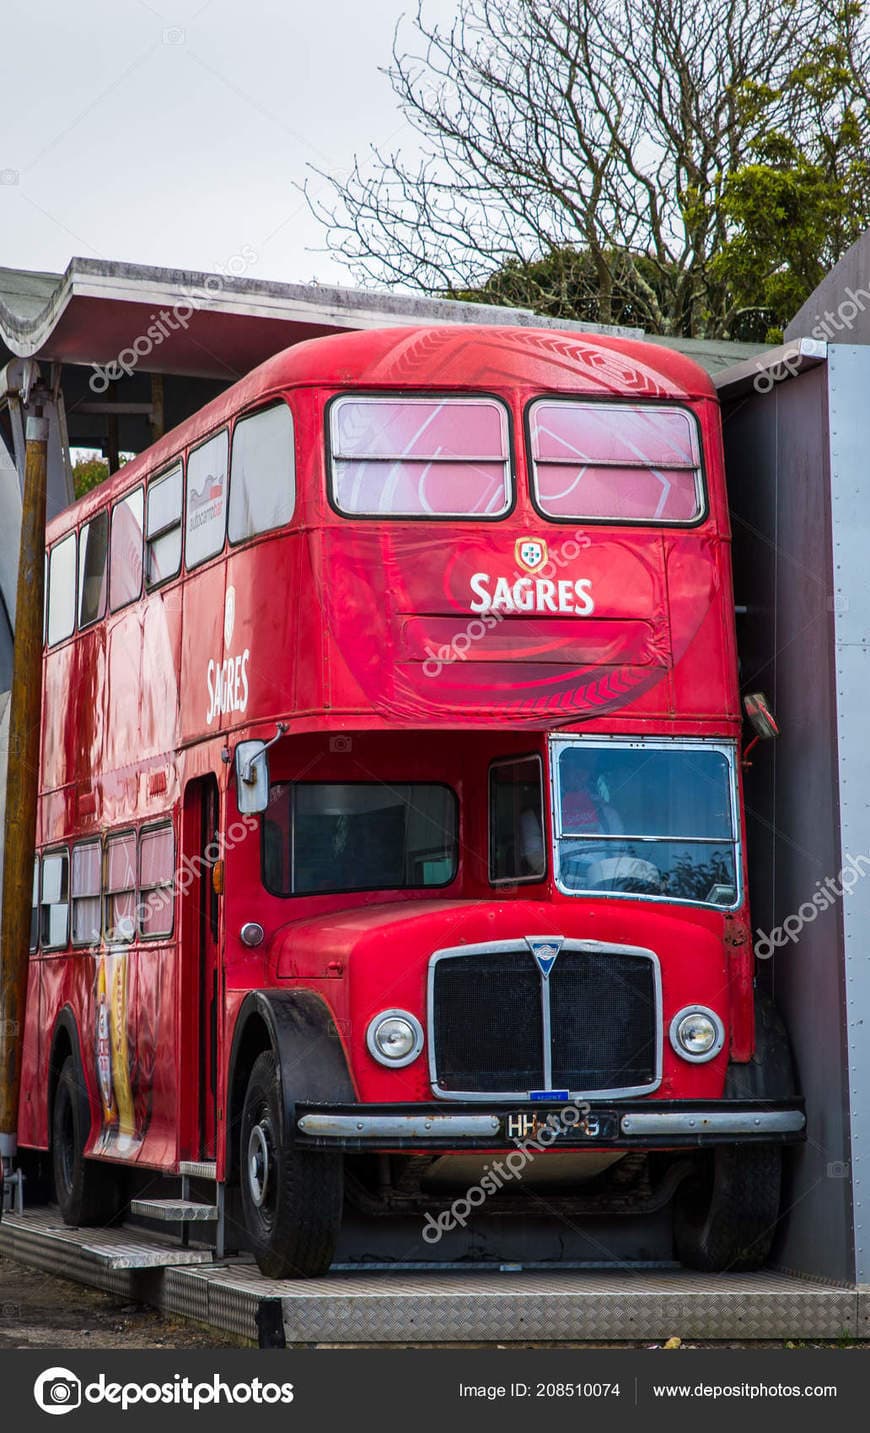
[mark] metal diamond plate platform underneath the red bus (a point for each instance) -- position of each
(439, 1306)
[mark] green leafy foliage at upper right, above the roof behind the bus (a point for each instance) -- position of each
(773, 226)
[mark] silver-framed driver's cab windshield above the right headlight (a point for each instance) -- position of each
(637, 819)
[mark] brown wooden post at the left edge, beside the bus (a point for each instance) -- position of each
(22, 782)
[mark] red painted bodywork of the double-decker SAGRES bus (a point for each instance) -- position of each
(346, 630)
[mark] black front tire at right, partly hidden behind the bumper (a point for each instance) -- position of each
(726, 1214)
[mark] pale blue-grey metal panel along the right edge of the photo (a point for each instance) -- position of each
(851, 524)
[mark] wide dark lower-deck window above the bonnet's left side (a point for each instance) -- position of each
(322, 838)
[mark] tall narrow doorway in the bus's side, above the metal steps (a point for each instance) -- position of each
(201, 967)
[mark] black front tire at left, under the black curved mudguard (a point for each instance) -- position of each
(292, 1200)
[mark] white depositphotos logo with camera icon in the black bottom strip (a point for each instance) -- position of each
(58, 1391)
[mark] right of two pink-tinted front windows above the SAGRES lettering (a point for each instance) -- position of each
(614, 462)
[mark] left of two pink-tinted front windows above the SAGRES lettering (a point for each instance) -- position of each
(421, 458)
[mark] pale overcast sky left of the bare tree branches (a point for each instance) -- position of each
(174, 133)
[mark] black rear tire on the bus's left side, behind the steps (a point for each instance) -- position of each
(88, 1192)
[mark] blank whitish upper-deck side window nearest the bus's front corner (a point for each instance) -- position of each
(263, 474)
